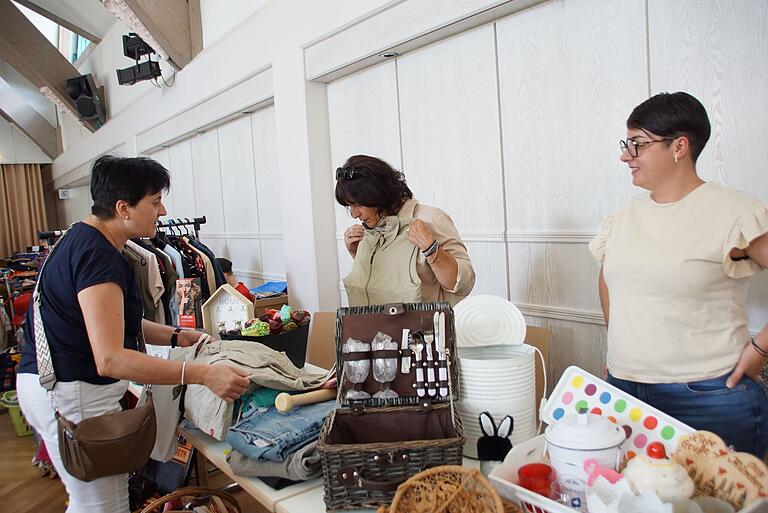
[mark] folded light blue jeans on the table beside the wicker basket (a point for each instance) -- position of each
(267, 434)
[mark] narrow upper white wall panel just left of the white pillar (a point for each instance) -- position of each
(268, 193)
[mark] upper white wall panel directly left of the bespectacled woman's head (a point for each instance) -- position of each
(569, 74)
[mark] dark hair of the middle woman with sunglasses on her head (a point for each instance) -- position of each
(371, 182)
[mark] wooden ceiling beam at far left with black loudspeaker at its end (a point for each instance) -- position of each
(24, 48)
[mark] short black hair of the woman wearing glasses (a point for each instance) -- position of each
(673, 115)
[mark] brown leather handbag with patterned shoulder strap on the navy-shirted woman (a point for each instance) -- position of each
(105, 445)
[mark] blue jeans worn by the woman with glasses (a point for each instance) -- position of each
(739, 415)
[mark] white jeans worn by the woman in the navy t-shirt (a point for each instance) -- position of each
(76, 400)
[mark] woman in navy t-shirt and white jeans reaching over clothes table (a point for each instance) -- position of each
(91, 311)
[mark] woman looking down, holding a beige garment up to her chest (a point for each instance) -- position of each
(404, 251)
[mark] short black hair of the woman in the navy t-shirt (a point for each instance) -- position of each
(124, 178)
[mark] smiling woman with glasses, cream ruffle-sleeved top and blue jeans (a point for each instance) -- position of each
(673, 284)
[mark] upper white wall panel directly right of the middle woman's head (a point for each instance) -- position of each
(450, 129)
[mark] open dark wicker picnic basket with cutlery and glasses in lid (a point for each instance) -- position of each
(369, 447)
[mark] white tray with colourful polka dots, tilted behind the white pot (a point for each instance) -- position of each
(578, 389)
